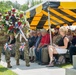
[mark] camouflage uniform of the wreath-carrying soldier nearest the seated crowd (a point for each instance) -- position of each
(26, 54)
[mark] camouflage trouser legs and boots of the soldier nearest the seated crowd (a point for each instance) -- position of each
(26, 54)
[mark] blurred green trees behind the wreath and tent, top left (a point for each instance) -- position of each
(7, 5)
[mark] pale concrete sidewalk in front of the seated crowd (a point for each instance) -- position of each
(34, 69)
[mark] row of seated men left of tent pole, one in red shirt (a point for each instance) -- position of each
(38, 40)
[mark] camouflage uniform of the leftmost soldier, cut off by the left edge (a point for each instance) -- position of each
(7, 52)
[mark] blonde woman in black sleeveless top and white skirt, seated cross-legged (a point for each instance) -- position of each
(61, 48)
